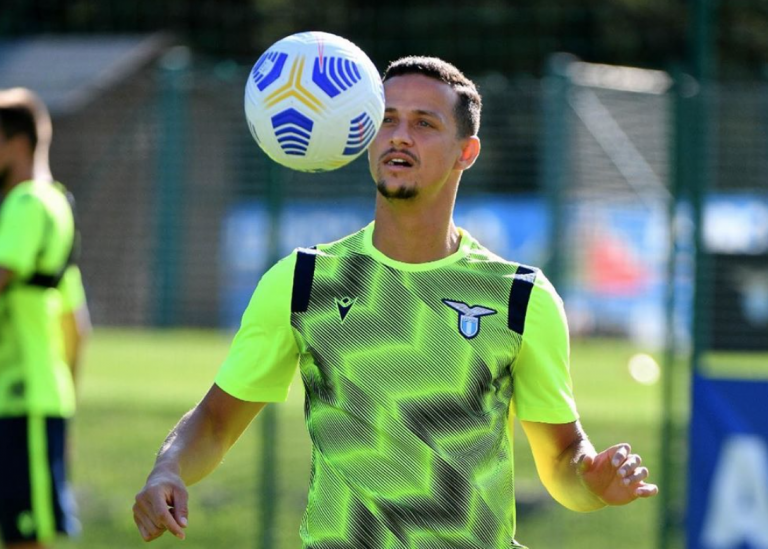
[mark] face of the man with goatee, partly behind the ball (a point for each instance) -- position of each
(417, 148)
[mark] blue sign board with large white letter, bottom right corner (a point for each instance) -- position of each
(728, 471)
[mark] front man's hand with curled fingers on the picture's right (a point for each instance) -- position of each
(616, 476)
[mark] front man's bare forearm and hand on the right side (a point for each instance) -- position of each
(580, 478)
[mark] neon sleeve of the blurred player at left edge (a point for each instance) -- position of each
(22, 227)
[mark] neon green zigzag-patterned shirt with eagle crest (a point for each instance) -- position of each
(411, 372)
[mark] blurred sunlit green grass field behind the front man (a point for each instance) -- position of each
(136, 384)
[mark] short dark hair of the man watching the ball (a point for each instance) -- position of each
(469, 104)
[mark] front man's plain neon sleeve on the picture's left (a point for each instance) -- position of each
(263, 357)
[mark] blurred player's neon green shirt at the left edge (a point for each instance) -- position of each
(36, 234)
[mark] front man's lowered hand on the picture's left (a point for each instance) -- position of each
(161, 505)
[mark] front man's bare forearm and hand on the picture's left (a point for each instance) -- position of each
(194, 448)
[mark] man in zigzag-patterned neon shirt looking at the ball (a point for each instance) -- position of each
(417, 347)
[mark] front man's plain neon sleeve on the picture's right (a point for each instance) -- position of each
(543, 390)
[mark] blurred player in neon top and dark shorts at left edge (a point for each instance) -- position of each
(43, 319)
